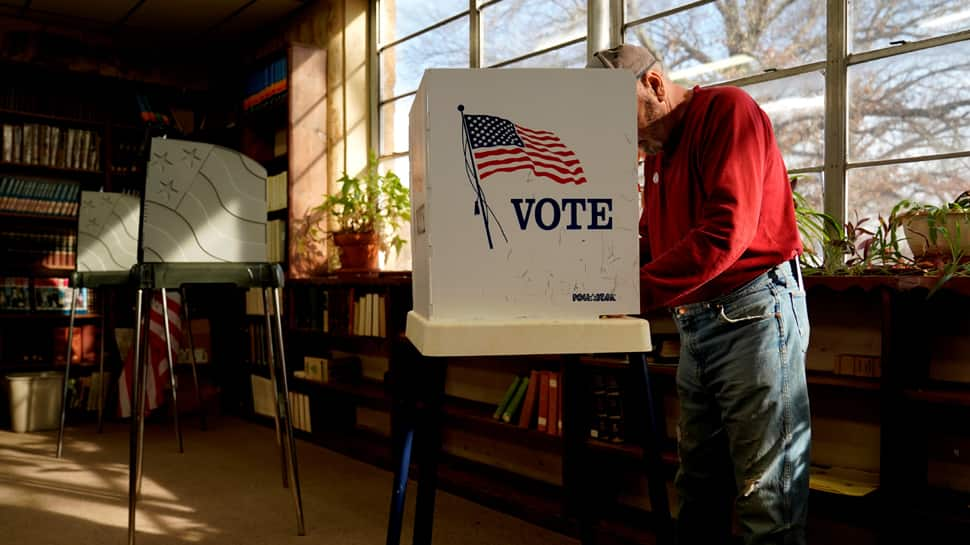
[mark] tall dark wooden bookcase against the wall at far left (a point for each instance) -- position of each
(84, 134)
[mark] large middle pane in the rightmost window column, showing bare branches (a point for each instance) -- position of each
(910, 105)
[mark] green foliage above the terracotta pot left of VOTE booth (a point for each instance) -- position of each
(369, 203)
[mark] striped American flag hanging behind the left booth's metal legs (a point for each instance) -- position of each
(159, 365)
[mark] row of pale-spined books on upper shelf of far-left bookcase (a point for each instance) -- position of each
(50, 146)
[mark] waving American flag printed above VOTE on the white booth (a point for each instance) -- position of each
(499, 145)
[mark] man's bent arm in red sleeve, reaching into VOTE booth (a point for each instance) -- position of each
(732, 163)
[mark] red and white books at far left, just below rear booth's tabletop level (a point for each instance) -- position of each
(42, 294)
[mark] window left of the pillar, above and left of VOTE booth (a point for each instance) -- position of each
(416, 35)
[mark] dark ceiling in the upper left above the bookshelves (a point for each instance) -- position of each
(158, 21)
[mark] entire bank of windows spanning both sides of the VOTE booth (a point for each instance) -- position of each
(904, 74)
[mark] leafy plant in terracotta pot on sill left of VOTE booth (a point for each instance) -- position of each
(365, 214)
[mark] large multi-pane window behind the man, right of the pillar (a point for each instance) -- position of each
(905, 73)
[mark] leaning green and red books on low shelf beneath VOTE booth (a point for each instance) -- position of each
(533, 402)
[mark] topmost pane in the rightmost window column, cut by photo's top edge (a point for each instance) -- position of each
(875, 23)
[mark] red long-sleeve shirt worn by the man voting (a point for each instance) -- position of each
(717, 202)
